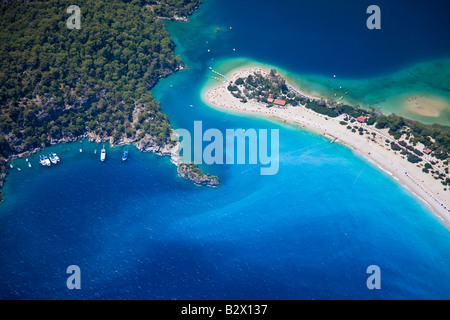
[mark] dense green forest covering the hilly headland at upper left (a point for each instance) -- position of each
(57, 82)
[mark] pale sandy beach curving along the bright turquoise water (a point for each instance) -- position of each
(423, 186)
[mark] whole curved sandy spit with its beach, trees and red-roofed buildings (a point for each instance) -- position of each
(414, 154)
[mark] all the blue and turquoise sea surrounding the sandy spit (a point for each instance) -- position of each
(138, 231)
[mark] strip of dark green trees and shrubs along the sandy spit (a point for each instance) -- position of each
(435, 137)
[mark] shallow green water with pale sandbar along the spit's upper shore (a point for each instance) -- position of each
(399, 92)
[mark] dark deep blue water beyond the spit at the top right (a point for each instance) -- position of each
(323, 37)
